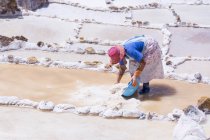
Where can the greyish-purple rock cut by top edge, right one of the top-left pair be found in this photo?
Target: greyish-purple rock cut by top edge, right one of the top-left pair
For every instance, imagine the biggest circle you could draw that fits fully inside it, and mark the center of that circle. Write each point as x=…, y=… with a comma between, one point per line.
x=31, y=4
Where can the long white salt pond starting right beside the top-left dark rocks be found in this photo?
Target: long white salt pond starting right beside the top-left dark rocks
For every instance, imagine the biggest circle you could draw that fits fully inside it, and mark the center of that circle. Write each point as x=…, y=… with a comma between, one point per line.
x=65, y=11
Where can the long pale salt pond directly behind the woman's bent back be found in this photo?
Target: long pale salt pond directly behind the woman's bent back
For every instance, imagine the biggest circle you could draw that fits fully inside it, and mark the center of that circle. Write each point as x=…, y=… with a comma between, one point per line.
x=113, y=33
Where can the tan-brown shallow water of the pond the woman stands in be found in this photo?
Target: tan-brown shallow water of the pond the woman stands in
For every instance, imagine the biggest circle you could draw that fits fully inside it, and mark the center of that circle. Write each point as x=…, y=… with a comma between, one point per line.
x=60, y=86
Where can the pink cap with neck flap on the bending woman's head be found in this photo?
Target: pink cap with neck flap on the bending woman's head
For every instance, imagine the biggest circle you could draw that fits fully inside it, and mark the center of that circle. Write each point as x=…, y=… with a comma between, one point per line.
x=116, y=53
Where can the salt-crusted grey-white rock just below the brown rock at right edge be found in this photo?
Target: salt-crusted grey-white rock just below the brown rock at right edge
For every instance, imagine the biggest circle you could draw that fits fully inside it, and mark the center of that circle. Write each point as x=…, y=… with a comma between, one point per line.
x=195, y=114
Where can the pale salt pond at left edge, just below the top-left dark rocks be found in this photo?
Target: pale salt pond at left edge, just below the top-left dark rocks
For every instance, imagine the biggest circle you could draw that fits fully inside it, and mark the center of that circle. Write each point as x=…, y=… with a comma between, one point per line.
x=38, y=29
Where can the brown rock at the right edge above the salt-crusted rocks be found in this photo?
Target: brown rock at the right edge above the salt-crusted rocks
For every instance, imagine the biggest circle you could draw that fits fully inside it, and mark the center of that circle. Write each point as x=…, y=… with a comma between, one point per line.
x=204, y=104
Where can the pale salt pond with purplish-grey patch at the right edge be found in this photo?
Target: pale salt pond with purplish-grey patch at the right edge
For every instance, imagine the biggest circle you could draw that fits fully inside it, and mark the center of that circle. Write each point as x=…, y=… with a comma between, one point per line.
x=193, y=42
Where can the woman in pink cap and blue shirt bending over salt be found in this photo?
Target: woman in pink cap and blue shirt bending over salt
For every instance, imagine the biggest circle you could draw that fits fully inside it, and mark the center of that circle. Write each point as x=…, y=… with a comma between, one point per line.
x=144, y=55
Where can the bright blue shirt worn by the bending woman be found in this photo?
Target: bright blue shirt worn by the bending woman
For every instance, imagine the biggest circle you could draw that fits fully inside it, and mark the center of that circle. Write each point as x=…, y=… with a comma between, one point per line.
x=133, y=48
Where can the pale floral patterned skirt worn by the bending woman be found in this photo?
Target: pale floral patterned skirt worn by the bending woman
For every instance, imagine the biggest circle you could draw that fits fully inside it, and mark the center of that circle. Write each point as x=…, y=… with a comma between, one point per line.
x=152, y=56
